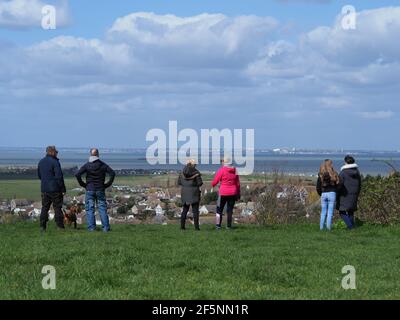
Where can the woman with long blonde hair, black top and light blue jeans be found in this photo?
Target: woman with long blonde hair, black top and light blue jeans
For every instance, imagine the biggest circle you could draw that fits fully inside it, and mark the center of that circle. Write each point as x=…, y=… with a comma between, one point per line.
x=327, y=187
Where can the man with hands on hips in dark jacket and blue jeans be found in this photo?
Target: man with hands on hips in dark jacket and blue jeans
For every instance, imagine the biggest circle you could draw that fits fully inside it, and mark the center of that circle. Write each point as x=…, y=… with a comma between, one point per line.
x=95, y=185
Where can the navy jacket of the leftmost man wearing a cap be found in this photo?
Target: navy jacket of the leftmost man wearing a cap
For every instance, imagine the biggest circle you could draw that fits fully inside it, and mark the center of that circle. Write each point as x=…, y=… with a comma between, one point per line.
x=51, y=176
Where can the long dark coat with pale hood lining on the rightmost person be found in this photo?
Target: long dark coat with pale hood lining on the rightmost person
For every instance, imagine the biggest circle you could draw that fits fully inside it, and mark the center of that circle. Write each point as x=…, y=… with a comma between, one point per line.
x=350, y=188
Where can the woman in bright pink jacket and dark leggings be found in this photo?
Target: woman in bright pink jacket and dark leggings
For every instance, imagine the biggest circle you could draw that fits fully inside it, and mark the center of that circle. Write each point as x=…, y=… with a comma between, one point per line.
x=229, y=191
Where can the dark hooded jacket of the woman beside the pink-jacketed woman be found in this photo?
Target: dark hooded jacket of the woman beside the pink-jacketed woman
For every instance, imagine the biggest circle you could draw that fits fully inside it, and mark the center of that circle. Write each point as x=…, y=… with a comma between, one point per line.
x=190, y=180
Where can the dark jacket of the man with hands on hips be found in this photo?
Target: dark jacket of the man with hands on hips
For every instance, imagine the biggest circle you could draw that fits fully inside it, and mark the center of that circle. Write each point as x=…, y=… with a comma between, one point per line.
x=96, y=176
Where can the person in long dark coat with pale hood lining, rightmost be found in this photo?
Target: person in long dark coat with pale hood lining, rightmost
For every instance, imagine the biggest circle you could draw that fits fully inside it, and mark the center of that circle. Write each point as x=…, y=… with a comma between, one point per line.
x=349, y=191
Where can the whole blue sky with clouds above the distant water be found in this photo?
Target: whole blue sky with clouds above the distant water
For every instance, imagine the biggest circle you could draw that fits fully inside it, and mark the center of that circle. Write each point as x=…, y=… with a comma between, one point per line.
x=112, y=70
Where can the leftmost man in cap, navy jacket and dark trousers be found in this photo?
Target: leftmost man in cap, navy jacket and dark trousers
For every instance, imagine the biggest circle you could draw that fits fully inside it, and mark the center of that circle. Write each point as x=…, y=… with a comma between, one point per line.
x=52, y=188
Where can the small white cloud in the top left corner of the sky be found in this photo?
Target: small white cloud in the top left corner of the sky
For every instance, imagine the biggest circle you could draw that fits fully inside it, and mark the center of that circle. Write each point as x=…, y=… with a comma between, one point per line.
x=28, y=13
